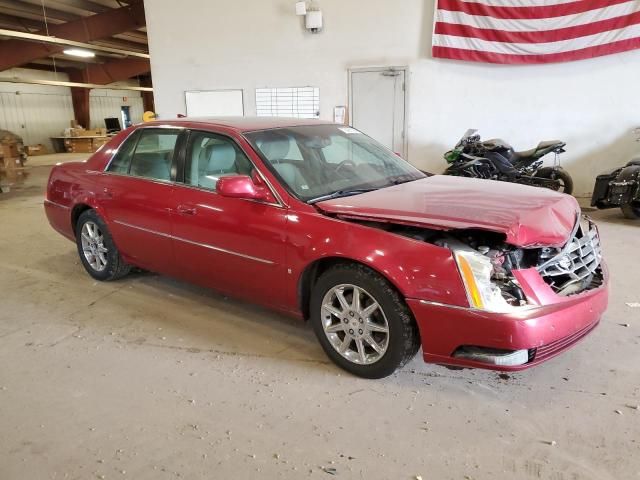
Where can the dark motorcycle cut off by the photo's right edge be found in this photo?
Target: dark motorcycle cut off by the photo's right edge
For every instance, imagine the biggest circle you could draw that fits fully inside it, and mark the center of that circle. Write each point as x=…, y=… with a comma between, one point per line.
x=620, y=187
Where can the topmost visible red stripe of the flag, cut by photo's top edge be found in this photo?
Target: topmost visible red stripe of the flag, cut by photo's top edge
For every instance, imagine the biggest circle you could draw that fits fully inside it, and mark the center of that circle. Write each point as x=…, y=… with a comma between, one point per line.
x=526, y=13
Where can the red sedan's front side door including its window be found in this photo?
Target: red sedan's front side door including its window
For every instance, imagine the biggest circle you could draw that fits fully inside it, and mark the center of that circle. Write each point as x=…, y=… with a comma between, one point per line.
x=229, y=244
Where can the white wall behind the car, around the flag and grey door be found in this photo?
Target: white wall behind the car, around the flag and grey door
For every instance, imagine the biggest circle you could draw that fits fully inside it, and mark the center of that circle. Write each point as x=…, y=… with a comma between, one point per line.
x=592, y=104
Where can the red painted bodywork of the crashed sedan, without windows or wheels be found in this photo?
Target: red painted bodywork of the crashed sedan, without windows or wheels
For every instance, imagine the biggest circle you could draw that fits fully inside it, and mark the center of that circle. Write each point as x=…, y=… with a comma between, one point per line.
x=262, y=250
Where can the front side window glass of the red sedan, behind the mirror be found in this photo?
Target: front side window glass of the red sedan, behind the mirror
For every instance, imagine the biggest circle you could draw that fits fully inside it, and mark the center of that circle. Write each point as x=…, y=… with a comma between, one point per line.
x=212, y=156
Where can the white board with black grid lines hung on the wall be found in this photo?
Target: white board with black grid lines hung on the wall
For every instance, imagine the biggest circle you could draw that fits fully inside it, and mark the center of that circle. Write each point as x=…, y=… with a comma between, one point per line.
x=275, y=102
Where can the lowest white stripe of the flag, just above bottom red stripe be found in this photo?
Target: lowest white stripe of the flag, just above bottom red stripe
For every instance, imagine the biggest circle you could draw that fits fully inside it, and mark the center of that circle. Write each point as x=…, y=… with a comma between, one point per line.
x=538, y=48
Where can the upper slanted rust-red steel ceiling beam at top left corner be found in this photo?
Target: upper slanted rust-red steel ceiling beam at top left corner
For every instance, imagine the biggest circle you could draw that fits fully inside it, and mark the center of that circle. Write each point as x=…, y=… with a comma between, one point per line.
x=14, y=53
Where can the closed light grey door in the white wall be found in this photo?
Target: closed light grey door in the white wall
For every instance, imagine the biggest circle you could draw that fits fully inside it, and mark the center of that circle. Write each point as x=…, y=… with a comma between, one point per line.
x=378, y=106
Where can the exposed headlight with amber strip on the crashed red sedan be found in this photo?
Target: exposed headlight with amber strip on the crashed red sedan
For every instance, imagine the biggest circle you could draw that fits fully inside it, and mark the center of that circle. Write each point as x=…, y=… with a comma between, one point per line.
x=483, y=294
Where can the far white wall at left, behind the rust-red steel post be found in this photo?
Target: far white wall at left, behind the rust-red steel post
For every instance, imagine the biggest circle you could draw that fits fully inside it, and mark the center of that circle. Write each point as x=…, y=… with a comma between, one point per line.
x=38, y=112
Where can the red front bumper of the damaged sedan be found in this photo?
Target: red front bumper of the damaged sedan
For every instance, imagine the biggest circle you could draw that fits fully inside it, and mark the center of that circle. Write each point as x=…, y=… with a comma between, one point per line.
x=511, y=341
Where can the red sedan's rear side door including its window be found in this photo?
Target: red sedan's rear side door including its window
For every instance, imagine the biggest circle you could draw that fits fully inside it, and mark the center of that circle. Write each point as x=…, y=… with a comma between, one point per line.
x=138, y=196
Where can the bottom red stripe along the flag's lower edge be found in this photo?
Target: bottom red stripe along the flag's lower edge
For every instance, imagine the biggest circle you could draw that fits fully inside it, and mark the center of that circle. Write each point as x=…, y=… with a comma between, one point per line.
x=492, y=57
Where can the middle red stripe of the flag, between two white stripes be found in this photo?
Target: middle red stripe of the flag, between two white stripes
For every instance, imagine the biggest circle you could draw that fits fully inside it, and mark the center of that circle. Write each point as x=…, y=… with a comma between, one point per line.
x=560, y=34
